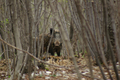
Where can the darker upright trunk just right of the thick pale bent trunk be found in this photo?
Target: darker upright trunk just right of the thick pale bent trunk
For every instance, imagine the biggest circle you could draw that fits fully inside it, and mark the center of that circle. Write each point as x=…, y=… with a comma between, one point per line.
x=31, y=24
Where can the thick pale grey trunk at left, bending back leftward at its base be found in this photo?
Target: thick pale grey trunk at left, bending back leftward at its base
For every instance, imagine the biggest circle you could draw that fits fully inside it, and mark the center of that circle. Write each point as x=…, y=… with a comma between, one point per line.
x=16, y=32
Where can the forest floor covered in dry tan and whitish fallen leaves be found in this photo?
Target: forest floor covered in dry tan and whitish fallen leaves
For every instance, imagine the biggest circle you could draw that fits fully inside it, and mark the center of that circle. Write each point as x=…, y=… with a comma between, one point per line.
x=66, y=73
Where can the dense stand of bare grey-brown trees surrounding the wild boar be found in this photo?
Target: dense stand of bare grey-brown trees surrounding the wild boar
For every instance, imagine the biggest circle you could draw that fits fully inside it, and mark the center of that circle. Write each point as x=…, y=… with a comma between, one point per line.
x=89, y=29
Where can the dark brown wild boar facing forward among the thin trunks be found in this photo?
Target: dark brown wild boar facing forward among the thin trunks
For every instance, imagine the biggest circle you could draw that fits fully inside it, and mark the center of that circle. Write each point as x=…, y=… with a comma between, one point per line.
x=56, y=43
